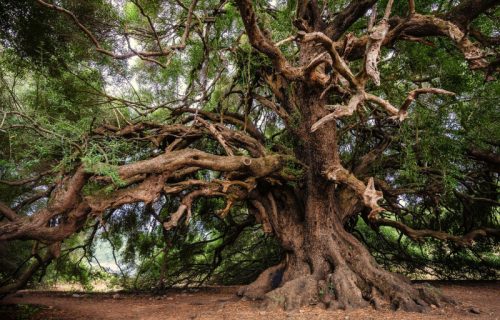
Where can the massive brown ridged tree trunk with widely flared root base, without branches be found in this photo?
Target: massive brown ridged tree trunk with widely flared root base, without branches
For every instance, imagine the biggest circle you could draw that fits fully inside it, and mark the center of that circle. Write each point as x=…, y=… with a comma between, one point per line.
x=324, y=263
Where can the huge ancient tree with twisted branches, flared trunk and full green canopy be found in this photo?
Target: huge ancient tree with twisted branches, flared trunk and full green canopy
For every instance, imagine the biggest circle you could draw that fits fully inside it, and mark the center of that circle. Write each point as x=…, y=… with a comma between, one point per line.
x=284, y=112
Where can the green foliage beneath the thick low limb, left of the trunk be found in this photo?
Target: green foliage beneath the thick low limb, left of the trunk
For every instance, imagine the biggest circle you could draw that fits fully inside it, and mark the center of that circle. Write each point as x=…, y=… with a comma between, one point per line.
x=208, y=250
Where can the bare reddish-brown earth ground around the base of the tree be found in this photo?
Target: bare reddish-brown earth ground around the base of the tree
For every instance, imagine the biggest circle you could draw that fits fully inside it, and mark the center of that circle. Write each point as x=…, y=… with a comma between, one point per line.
x=477, y=300
